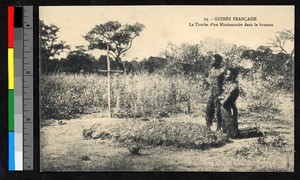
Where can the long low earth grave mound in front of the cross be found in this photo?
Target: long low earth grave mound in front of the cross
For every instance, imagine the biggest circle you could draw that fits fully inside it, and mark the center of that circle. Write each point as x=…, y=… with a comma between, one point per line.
x=158, y=133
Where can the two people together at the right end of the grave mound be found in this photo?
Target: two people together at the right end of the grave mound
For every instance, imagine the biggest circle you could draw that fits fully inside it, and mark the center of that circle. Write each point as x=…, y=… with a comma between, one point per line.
x=224, y=91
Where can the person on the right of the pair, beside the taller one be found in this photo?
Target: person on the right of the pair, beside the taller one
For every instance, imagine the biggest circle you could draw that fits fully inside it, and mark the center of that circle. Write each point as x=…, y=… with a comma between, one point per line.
x=228, y=99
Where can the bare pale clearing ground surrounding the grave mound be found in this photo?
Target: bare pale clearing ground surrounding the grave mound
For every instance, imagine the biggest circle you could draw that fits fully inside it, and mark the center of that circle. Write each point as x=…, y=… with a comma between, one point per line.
x=63, y=147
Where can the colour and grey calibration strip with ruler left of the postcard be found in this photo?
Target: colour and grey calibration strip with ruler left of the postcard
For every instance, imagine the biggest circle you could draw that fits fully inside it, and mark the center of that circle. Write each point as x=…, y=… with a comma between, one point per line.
x=20, y=87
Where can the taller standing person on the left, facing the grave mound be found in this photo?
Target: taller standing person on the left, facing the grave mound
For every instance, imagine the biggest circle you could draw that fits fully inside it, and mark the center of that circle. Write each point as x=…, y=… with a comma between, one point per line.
x=216, y=79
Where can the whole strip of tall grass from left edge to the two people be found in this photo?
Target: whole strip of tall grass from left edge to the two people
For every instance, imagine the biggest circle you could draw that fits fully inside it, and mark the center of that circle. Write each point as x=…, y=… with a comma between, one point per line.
x=69, y=96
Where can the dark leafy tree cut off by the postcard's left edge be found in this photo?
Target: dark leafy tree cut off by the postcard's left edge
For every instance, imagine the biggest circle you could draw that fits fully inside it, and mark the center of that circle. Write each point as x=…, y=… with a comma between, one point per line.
x=49, y=47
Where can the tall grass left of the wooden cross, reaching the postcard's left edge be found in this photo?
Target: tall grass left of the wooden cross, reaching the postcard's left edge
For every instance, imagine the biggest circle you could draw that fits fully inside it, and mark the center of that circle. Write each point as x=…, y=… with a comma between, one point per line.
x=70, y=96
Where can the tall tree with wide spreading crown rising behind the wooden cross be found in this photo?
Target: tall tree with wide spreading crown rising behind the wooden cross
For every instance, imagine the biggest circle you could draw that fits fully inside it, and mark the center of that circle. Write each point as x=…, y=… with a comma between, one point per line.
x=116, y=36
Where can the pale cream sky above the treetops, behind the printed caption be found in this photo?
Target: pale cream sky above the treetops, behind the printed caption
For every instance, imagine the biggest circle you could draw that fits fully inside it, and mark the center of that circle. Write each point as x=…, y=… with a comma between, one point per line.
x=170, y=24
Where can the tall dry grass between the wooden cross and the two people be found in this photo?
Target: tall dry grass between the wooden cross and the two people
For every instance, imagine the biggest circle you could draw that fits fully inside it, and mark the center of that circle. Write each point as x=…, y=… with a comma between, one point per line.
x=150, y=94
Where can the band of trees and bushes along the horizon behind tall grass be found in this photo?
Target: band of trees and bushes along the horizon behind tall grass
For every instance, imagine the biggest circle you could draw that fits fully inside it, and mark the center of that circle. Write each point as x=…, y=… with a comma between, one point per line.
x=273, y=64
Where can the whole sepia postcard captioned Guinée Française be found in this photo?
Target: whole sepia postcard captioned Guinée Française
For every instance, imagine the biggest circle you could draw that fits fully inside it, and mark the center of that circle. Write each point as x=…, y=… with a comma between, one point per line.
x=166, y=88
